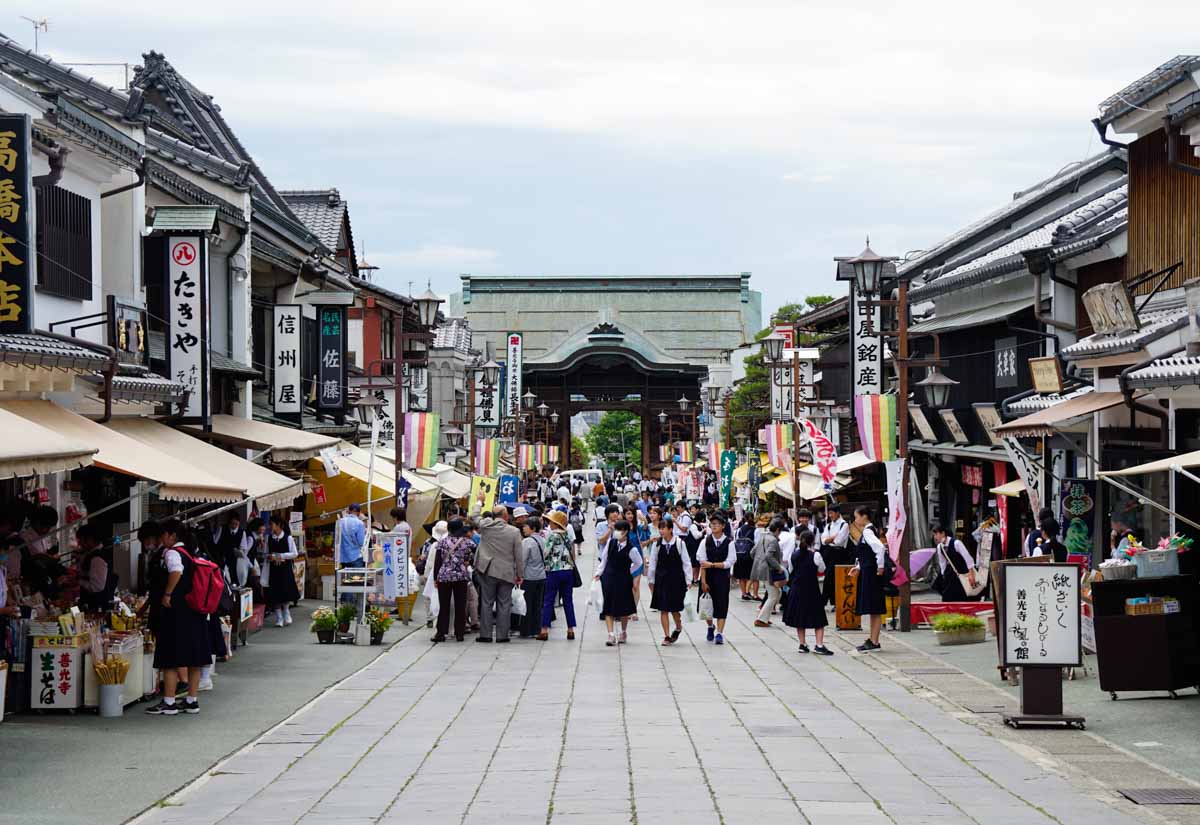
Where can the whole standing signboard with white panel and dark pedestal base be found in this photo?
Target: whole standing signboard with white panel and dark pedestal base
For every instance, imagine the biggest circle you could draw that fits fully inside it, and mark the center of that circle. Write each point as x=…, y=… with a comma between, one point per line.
x=1042, y=635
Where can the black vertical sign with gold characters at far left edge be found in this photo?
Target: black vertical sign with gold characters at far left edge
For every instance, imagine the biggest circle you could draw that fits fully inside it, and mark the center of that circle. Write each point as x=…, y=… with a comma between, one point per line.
x=16, y=231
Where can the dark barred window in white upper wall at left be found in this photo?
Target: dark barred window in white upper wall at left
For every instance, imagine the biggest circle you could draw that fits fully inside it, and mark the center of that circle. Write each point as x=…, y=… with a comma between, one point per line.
x=64, y=243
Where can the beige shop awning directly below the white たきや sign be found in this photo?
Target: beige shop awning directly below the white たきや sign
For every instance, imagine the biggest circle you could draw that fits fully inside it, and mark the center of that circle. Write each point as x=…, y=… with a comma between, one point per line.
x=269, y=490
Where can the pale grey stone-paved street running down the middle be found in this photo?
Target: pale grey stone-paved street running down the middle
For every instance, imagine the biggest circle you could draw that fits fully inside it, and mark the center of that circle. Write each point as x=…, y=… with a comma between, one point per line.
x=578, y=733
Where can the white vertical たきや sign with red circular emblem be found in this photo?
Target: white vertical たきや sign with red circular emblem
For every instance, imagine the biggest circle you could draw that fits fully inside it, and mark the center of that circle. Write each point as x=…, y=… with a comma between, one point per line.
x=188, y=290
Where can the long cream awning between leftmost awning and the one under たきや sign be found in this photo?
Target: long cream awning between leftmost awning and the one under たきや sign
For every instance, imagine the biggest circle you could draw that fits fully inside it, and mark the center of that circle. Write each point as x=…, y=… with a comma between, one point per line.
x=179, y=480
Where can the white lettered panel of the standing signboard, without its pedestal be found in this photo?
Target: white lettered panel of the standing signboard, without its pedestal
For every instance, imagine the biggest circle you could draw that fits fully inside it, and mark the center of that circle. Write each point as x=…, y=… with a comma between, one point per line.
x=1042, y=625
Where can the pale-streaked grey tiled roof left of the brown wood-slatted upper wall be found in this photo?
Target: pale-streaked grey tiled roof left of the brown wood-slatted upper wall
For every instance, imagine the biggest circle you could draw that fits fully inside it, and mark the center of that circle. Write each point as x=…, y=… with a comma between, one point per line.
x=1004, y=255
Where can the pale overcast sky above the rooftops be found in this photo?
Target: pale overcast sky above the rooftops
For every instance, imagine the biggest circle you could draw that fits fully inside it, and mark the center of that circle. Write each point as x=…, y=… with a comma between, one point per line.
x=652, y=137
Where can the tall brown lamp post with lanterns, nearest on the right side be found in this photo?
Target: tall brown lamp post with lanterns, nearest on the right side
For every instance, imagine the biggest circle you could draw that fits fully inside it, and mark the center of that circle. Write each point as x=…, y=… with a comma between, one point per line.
x=869, y=270
